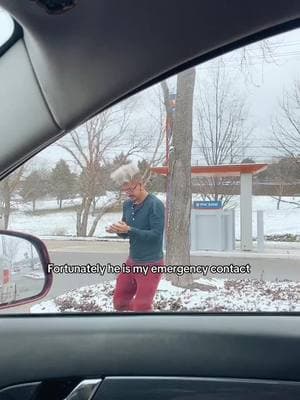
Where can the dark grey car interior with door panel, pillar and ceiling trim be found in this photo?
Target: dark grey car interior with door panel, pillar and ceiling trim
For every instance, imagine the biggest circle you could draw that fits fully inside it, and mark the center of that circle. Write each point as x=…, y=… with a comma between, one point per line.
x=66, y=61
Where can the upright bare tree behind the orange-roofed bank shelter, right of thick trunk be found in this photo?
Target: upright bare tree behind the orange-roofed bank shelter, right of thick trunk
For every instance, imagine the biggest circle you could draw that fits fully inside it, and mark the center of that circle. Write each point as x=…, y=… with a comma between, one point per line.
x=221, y=135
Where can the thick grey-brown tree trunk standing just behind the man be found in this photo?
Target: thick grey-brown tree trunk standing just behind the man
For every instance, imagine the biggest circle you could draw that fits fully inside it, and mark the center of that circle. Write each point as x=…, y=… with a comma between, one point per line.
x=180, y=194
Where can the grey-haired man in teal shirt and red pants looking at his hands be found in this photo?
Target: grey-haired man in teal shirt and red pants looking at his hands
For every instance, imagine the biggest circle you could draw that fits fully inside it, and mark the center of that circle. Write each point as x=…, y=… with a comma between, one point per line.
x=143, y=223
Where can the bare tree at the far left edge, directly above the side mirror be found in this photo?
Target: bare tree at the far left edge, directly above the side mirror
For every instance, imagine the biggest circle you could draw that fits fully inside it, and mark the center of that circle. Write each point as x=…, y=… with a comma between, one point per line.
x=8, y=188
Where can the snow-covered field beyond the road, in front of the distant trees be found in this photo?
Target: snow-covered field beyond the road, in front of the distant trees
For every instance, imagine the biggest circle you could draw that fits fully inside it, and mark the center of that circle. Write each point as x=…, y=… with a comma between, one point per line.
x=63, y=223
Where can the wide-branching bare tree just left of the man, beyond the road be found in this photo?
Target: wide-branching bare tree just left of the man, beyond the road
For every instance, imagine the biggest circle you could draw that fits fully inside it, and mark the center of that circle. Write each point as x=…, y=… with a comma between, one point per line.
x=88, y=146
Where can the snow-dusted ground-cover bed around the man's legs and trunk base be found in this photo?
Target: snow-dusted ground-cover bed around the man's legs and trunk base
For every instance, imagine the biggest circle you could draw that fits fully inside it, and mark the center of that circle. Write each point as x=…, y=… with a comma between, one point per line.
x=208, y=295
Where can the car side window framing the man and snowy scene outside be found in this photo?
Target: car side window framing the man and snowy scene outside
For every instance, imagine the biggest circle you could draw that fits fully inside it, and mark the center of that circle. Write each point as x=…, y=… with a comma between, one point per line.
x=183, y=198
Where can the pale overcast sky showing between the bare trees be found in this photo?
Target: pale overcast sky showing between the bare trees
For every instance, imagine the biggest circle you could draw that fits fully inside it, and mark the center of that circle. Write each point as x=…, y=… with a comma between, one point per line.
x=262, y=92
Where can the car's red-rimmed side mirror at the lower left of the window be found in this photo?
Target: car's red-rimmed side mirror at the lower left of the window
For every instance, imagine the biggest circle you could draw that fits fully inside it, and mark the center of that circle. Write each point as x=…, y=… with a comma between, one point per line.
x=24, y=275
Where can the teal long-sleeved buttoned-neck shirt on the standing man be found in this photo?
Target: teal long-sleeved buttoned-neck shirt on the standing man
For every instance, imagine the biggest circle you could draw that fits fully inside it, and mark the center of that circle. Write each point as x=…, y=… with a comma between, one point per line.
x=147, y=228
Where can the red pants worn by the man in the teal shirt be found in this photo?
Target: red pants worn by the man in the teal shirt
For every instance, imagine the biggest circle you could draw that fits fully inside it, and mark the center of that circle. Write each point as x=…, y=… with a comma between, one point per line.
x=135, y=291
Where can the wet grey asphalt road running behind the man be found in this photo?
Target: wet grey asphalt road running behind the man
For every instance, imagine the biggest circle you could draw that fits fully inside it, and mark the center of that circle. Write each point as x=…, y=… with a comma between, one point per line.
x=267, y=266
